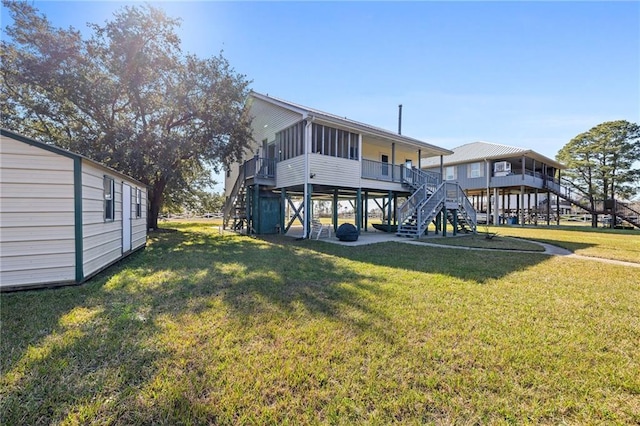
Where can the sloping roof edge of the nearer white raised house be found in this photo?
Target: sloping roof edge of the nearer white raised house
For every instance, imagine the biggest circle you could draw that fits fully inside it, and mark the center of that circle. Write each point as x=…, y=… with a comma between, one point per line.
x=311, y=113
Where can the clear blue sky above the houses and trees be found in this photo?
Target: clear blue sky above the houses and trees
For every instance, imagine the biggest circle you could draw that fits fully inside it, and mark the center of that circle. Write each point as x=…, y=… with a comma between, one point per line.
x=528, y=74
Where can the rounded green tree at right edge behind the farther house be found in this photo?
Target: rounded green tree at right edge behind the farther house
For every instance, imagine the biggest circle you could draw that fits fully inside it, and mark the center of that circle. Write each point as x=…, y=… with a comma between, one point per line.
x=601, y=161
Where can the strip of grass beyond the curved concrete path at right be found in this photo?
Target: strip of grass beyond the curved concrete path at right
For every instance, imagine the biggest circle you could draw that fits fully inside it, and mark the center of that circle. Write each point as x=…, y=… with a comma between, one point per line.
x=616, y=244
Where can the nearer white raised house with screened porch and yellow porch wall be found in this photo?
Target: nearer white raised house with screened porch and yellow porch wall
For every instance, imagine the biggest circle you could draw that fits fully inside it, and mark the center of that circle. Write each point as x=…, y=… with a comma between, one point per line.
x=301, y=155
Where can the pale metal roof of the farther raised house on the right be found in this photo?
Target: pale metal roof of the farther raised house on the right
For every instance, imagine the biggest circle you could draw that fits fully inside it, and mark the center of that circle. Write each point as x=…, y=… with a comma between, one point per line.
x=480, y=151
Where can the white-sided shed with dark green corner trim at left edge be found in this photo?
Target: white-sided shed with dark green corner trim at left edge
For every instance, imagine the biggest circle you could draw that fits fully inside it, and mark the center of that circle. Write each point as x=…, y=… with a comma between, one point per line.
x=63, y=217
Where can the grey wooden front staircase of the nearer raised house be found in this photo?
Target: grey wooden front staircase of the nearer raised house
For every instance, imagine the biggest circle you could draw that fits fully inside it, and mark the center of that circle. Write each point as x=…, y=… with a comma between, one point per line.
x=430, y=196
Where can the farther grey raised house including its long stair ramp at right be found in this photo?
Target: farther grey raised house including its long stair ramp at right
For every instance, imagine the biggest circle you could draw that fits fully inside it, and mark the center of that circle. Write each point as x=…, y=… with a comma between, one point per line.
x=513, y=185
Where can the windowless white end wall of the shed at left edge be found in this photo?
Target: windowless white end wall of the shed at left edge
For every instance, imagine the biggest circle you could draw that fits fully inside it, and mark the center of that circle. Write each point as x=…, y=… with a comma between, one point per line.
x=37, y=215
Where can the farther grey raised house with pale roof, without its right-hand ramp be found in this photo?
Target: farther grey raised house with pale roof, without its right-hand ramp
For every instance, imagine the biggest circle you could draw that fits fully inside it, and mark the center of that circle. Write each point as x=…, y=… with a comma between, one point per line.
x=501, y=180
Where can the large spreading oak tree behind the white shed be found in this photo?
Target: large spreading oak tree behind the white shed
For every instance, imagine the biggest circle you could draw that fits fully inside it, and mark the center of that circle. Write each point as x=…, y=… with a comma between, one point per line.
x=126, y=96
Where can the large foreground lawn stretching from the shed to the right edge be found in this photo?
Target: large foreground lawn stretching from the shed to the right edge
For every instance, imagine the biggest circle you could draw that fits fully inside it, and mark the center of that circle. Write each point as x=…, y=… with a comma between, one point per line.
x=206, y=329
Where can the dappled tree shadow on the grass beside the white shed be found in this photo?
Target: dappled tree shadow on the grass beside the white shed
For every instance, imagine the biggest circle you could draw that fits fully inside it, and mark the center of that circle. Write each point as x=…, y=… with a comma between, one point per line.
x=81, y=350
